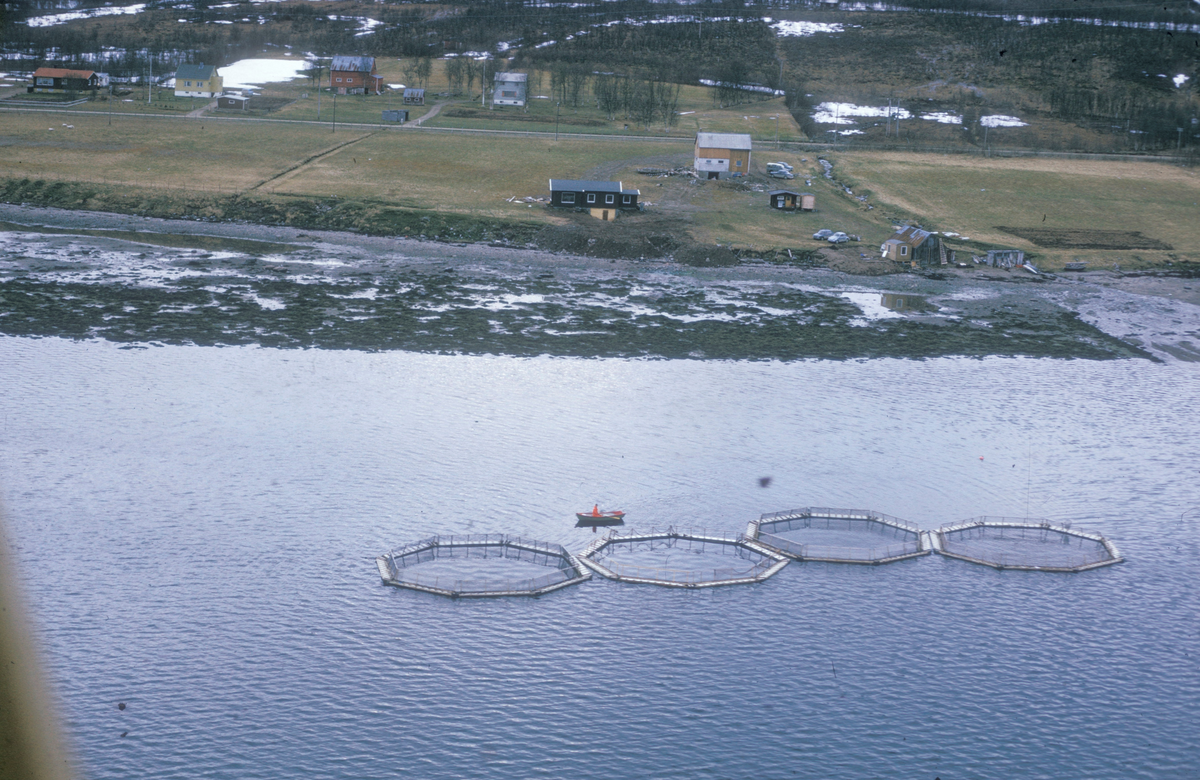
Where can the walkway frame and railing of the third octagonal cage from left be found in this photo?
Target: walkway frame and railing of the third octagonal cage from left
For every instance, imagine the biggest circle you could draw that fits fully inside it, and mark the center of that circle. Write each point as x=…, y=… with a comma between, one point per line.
x=914, y=543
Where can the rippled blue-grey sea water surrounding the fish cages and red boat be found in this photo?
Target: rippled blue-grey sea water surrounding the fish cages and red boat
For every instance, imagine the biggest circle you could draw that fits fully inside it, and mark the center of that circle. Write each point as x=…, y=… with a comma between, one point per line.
x=197, y=527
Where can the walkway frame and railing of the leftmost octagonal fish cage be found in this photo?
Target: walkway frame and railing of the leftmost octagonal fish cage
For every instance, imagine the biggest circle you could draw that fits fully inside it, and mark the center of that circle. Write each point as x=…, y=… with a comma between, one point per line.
x=403, y=567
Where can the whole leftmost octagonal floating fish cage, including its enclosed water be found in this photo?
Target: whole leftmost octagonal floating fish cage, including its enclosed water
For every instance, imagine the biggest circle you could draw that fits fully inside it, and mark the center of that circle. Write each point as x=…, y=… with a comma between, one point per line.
x=479, y=565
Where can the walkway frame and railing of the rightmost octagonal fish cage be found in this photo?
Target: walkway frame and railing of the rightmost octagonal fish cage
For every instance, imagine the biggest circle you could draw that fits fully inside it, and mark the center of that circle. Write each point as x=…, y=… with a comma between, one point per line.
x=1105, y=553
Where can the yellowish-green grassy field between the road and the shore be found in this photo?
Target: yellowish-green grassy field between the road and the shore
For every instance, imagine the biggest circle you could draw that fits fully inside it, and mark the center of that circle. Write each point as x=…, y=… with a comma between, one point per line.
x=488, y=177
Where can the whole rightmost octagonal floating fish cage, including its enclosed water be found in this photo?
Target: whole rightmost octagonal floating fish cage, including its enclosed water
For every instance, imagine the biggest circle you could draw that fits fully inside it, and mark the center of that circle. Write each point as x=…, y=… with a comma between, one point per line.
x=1039, y=545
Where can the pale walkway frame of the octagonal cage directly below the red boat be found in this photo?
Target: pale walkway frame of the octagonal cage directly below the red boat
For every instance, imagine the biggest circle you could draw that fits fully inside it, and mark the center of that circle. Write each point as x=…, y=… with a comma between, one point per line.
x=766, y=562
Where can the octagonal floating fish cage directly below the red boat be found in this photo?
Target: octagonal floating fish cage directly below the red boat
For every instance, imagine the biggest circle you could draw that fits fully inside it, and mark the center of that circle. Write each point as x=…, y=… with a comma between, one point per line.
x=748, y=562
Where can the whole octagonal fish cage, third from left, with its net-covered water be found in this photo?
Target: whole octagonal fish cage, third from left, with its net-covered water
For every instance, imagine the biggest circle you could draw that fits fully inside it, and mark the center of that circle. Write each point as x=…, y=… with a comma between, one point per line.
x=839, y=536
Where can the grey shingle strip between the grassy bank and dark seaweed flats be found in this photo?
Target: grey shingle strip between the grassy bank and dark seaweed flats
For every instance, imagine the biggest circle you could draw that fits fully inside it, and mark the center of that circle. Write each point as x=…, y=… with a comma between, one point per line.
x=1143, y=310
